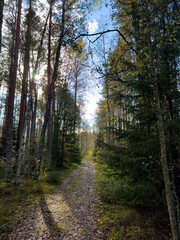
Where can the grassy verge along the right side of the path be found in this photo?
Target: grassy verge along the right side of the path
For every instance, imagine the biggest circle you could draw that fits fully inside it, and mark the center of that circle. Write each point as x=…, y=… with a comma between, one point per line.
x=118, y=221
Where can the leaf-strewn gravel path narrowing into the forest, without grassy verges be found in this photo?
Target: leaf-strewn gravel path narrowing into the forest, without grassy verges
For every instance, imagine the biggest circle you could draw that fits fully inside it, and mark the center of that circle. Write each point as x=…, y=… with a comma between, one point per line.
x=69, y=213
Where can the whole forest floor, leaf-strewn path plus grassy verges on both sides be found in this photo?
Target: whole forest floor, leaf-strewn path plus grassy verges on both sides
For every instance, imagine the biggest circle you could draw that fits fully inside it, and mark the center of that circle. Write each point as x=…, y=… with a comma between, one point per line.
x=84, y=206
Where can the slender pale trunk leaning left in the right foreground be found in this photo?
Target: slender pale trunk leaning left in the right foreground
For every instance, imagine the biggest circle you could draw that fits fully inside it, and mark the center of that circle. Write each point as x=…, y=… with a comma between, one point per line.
x=168, y=190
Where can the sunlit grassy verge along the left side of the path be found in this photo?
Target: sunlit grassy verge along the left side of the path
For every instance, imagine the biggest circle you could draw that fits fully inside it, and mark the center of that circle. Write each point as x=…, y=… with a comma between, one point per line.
x=16, y=202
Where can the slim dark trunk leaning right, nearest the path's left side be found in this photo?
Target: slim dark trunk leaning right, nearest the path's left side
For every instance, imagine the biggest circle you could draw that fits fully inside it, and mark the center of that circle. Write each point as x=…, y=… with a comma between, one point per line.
x=51, y=93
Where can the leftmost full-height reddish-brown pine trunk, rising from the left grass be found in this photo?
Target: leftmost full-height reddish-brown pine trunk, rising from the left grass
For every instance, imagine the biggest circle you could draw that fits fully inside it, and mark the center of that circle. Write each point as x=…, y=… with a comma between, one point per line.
x=13, y=74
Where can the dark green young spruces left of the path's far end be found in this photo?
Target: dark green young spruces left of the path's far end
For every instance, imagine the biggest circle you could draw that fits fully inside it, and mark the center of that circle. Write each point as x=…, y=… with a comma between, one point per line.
x=65, y=141
